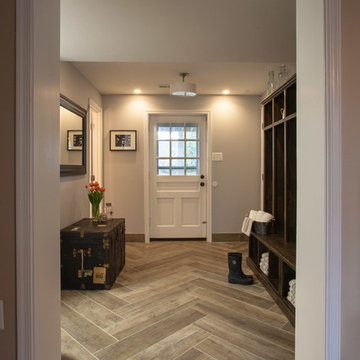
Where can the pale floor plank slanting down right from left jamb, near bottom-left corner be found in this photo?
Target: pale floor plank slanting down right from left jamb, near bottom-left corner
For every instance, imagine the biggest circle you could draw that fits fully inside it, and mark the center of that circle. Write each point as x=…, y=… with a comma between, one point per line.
x=83, y=331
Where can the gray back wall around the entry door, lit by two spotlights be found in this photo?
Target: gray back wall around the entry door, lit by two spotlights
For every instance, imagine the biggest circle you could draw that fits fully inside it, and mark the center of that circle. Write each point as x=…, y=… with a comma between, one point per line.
x=235, y=132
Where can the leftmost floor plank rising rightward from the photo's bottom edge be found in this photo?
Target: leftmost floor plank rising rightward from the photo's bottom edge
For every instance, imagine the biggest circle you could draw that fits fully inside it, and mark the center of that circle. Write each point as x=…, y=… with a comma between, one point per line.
x=140, y=341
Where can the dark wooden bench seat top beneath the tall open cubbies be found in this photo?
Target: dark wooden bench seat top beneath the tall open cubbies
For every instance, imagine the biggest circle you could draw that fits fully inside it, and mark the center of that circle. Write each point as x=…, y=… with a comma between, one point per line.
x=275, y=243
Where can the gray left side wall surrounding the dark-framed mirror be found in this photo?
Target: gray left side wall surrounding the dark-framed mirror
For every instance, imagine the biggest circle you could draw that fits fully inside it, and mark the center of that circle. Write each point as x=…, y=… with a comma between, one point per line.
x=74, y=203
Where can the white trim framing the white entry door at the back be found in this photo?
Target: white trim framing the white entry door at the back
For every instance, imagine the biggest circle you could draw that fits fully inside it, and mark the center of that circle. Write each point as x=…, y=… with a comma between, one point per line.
x=207, y=114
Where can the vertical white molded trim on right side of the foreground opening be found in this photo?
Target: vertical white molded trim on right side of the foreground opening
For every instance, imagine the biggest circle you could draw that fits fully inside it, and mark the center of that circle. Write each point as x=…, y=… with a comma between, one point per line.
x=333, y=179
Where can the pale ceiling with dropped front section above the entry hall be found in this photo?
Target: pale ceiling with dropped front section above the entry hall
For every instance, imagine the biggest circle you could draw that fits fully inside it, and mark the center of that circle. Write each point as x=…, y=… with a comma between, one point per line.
x=122, y=44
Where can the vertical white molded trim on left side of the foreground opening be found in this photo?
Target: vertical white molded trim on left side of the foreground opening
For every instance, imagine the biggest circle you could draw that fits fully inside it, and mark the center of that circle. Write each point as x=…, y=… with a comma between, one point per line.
x=24, y=179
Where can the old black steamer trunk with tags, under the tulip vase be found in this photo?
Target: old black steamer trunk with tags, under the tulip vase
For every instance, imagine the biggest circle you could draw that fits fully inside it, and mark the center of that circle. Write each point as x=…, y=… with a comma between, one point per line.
x=92, y=256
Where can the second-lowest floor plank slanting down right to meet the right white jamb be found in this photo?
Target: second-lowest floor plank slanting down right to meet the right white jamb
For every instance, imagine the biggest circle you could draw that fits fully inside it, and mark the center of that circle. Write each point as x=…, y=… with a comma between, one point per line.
x=256, y=327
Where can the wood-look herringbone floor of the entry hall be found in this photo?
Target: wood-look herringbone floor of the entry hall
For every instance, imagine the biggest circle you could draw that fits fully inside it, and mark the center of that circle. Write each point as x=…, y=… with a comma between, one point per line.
x=173, y=301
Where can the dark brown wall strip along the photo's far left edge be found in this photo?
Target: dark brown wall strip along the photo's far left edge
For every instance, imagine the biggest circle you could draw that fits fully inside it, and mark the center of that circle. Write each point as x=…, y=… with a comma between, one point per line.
x=7, y=161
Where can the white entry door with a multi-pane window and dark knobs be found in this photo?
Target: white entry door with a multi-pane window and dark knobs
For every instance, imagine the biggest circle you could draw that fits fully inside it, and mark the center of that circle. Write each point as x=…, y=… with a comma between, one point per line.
x=178, y=176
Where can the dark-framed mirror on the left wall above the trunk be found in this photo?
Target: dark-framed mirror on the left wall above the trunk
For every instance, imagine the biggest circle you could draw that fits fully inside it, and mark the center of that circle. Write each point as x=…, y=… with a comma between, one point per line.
x=72, y=138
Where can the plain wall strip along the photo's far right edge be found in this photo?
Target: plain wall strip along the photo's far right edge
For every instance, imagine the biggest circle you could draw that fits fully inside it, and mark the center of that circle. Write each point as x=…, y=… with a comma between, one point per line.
x=350, y=180
